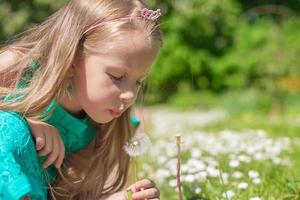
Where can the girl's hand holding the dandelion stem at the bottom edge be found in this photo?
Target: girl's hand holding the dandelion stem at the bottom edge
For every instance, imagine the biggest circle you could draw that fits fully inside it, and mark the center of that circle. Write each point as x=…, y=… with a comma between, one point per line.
x=144, y=189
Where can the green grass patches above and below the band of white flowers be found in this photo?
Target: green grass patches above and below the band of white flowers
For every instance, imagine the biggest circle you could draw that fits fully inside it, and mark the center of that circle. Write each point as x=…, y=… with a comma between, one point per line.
x=250, y=110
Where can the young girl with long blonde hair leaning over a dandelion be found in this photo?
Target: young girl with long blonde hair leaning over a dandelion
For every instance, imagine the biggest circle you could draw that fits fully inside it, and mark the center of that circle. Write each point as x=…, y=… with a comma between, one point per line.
x=79, y=72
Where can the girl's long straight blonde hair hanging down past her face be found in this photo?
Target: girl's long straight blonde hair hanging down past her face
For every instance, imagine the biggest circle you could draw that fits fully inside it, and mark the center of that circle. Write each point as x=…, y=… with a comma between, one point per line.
x=54, y=44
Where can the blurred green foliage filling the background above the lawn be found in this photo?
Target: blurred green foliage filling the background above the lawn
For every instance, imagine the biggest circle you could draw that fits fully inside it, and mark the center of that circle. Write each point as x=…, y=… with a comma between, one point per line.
x=208, y=45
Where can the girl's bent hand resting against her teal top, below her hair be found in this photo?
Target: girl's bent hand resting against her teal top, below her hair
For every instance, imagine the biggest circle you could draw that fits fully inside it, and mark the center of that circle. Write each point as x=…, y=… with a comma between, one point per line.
x=48, y=142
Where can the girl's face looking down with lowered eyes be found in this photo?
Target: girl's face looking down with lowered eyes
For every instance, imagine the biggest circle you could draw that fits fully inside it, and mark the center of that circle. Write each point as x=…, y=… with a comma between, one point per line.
x=104, y=82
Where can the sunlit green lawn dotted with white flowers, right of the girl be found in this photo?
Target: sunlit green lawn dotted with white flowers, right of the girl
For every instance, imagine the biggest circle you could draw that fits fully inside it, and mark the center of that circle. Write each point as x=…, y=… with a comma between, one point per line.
x=259, y=145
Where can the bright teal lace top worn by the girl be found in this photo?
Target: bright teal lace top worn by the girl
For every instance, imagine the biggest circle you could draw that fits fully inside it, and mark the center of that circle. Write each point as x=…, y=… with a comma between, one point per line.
x=21, y=172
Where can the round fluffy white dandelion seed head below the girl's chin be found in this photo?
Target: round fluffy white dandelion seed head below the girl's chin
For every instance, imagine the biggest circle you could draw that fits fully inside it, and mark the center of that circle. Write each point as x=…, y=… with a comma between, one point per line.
x=138, y=145
